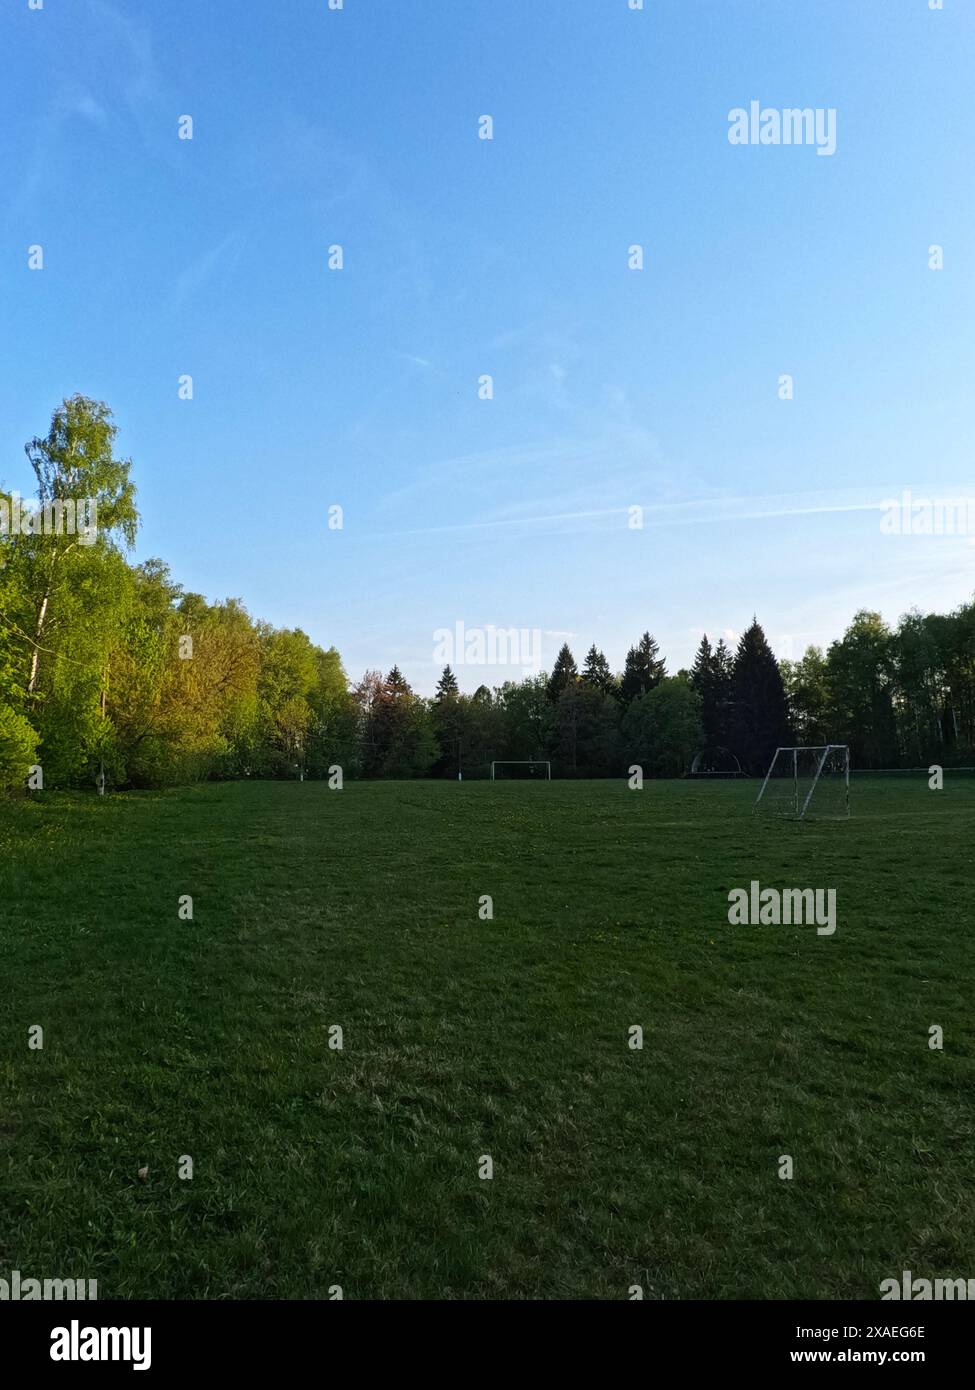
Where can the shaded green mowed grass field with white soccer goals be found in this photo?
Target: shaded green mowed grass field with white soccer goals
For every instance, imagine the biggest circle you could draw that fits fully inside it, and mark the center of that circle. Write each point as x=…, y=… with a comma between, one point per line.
x=467, y=1038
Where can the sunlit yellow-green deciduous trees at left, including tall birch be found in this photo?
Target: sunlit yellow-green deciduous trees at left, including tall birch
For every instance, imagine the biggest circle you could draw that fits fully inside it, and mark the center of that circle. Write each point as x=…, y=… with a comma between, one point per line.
x=122, y=672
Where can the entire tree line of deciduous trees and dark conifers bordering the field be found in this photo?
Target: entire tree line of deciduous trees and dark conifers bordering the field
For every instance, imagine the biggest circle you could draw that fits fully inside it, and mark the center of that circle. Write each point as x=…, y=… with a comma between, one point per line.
x=111, y=669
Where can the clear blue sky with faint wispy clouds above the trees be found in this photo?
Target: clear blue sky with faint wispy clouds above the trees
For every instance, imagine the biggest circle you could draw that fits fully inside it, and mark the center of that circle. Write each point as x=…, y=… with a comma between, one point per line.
x=613, y=389
